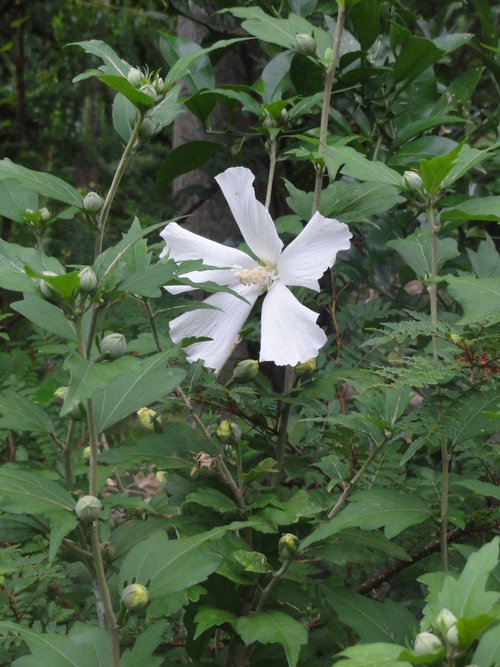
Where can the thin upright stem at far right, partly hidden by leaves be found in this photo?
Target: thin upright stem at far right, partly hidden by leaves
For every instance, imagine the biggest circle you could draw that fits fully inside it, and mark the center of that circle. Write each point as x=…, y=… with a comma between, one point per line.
x=444, y=443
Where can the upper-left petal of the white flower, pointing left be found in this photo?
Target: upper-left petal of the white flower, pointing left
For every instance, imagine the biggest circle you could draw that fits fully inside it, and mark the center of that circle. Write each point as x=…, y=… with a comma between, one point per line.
x=184, y=245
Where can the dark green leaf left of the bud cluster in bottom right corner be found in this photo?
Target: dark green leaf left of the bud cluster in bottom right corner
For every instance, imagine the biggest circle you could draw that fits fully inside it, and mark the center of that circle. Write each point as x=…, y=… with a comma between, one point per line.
x=373, y=621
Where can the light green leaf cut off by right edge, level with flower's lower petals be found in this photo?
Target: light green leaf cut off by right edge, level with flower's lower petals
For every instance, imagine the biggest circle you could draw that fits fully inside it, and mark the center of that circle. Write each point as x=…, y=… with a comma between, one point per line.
x=478, y=297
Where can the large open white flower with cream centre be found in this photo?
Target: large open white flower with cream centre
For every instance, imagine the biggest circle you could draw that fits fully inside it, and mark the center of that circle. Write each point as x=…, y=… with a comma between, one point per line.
x=290, y=334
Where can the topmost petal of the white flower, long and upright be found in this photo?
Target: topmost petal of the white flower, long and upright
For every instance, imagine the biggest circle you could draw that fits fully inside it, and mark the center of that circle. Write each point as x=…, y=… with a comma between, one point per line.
x=252, y=217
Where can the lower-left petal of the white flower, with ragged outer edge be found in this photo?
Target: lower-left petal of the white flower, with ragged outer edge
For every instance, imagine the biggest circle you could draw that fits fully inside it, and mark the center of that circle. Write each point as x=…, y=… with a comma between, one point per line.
x=222, y=326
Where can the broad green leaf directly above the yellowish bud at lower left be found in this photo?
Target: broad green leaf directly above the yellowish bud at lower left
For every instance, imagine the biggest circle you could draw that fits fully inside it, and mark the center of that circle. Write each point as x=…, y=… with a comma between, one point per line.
x=171, y=565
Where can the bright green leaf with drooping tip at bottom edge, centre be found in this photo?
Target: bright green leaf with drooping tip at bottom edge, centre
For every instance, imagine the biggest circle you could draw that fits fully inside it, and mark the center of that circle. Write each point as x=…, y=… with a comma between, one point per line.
x=274, y=627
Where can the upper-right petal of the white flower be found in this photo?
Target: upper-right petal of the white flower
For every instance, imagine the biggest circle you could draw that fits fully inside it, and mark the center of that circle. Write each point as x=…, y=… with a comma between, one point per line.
x=313, y=251
